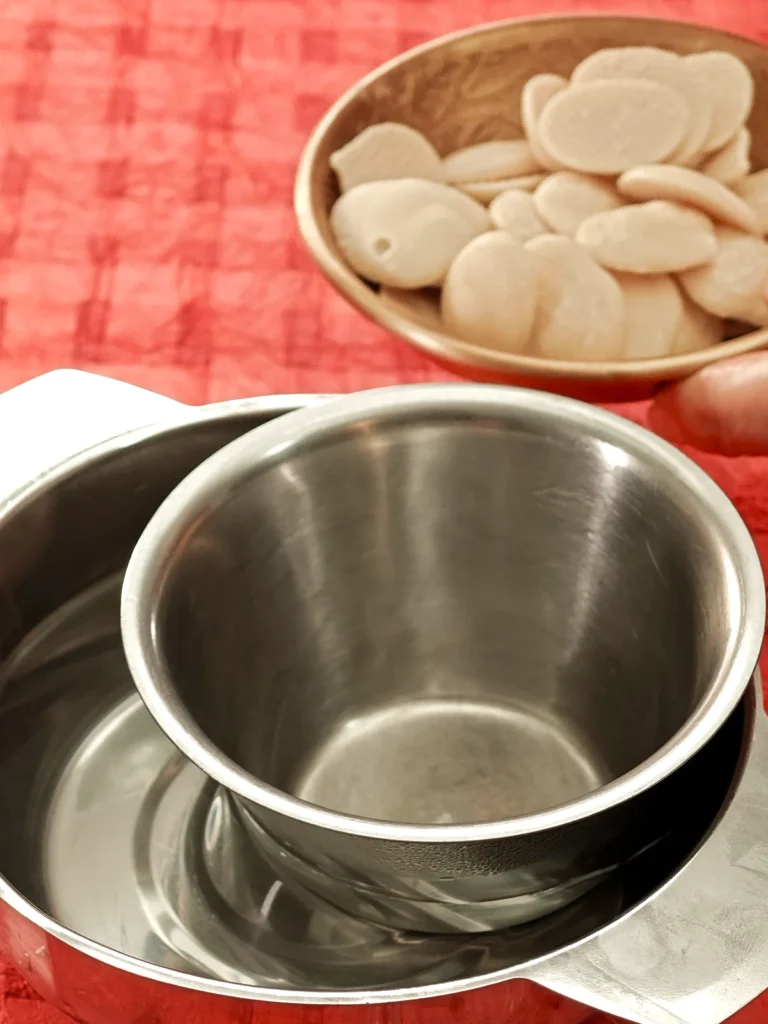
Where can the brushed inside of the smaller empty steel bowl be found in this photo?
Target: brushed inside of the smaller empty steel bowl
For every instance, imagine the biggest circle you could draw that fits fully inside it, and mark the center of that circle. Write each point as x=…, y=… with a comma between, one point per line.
x=444, y=618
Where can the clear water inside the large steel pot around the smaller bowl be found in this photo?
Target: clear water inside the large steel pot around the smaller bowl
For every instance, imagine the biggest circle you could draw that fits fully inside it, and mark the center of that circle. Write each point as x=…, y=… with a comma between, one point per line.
x=131, y=845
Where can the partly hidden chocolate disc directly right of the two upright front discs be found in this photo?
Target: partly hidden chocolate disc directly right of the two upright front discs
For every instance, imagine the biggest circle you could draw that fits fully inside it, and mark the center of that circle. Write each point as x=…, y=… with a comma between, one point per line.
x=654, y=310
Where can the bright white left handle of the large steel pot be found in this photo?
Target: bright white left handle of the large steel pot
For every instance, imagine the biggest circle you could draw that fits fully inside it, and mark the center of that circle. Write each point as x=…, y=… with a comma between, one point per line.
x=58, y=415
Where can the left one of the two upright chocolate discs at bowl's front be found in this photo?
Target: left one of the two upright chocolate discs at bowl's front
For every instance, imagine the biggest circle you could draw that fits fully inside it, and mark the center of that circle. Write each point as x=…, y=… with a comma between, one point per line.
x=490, y=294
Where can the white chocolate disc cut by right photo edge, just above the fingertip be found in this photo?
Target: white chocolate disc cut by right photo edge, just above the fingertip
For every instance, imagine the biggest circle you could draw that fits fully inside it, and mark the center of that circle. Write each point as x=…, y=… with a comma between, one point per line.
x=735, y=285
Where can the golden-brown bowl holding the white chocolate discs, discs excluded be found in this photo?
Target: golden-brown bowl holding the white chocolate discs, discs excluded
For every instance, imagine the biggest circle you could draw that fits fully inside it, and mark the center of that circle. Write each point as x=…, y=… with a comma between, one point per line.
x=465, y=89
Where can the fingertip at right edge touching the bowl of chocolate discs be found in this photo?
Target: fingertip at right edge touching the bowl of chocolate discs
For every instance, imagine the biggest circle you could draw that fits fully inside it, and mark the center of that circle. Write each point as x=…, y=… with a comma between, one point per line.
x=722, y=409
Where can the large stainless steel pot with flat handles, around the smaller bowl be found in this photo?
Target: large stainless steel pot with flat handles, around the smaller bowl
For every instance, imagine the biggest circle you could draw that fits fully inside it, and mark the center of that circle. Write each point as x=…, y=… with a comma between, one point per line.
x=103, y=908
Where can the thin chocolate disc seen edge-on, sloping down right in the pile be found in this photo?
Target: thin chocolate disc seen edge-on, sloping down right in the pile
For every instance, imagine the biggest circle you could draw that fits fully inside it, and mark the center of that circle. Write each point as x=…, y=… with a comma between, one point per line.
x=680, y=185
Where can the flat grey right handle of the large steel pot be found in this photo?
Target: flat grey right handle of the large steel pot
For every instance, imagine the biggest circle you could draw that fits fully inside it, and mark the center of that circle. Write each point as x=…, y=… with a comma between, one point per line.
x=697, y=953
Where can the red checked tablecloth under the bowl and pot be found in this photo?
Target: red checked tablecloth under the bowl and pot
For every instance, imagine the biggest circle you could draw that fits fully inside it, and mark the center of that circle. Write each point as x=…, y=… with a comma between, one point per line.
x=147, y=159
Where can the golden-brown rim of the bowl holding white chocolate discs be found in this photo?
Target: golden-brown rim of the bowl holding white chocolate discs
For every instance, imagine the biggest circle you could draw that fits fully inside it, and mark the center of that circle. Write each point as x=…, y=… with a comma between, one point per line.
x=446, y=348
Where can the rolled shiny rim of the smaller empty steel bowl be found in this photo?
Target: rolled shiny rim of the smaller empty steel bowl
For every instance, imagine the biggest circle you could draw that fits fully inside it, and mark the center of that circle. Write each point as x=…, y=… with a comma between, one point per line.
x=209, y=485
